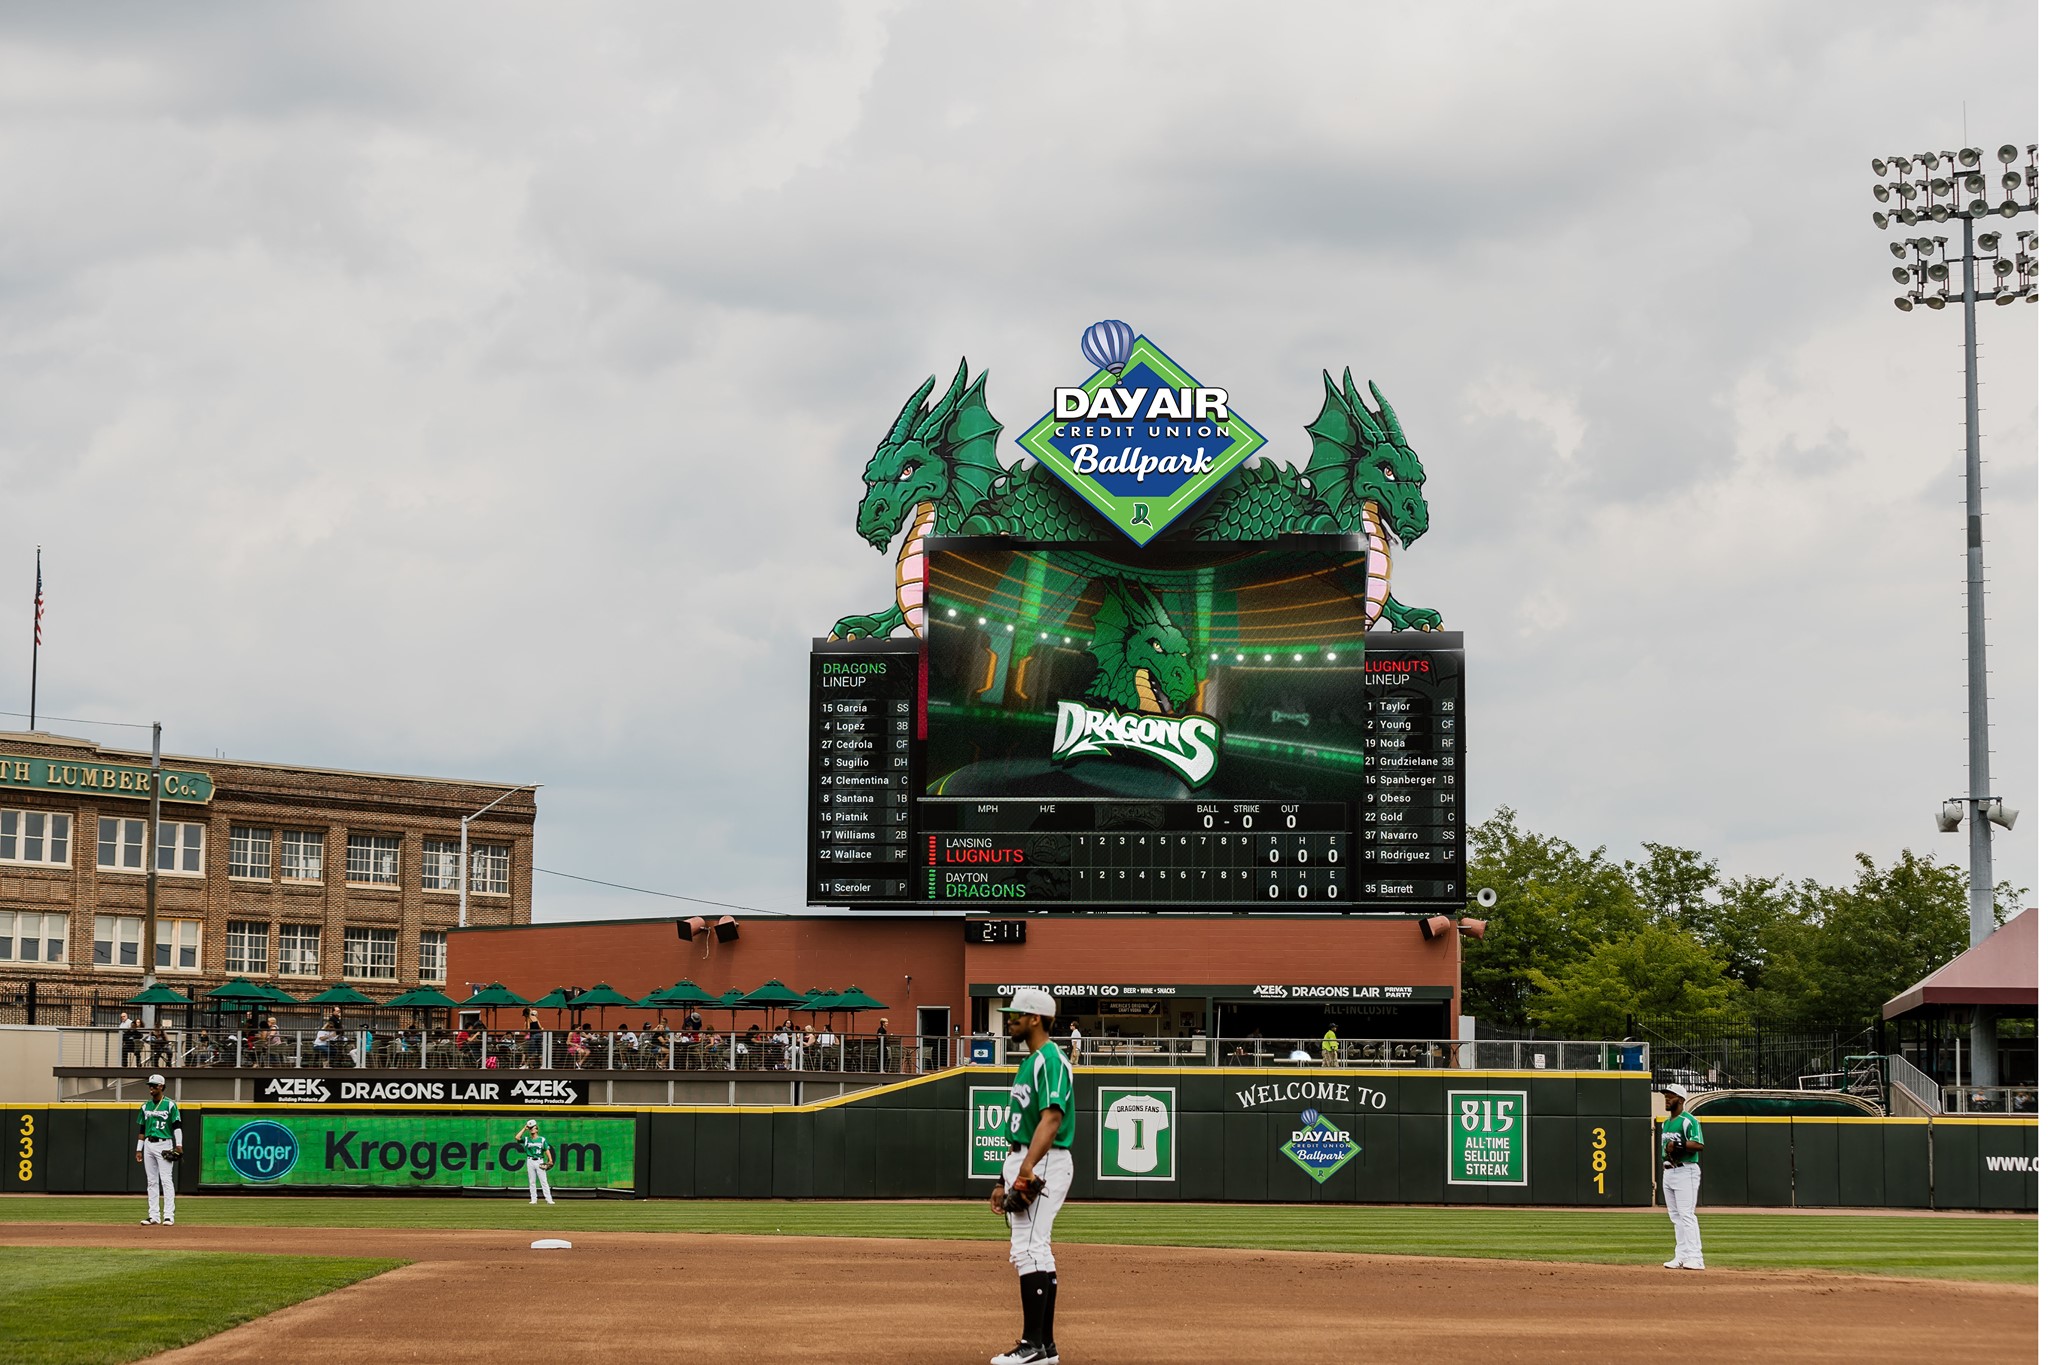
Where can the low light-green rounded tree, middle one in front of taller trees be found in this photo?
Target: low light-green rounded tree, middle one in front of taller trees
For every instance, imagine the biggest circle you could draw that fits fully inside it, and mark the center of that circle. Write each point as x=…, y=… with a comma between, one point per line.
x=1658, y=971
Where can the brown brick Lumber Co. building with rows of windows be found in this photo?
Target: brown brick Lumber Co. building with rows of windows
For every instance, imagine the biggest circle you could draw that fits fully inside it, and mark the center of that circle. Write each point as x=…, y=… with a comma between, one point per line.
x=298, y=877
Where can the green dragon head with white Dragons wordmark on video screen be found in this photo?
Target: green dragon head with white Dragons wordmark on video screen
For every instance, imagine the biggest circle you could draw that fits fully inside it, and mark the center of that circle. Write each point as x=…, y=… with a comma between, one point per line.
x=1144, y=678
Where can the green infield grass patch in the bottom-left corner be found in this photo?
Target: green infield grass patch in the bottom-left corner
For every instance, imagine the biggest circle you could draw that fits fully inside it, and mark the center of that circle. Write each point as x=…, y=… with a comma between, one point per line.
x=89, y=1305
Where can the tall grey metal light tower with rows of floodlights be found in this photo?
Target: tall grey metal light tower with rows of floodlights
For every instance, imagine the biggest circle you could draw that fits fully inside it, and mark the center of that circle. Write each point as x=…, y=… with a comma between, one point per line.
x=1955, y=187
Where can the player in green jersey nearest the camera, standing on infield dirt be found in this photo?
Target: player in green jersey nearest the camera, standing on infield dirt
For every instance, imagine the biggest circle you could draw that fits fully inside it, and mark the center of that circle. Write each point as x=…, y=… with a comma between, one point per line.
x=1037, y=1174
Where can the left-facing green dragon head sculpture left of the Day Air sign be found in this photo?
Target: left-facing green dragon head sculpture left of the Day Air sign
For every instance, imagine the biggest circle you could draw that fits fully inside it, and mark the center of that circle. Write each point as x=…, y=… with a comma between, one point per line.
x=933, y=455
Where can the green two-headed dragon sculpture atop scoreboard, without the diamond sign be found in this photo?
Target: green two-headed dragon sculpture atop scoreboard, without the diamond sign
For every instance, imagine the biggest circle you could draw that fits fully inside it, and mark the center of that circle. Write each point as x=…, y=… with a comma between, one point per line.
x=937, y=476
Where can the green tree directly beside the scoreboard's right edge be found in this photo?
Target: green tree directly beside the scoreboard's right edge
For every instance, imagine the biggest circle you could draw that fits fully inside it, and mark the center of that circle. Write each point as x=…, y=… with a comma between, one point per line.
x=1555, y=908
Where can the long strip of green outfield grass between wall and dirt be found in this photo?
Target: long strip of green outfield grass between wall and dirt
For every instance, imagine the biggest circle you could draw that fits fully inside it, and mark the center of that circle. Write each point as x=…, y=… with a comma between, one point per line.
x=1945, y=1247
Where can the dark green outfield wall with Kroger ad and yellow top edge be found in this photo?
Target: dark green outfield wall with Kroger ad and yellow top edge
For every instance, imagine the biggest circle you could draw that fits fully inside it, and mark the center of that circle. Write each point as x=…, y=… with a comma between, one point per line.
x=1314, y=1137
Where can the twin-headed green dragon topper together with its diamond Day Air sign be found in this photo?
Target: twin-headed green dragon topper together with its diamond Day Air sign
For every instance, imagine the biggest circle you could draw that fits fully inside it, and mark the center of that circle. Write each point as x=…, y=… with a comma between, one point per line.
x=937, y=474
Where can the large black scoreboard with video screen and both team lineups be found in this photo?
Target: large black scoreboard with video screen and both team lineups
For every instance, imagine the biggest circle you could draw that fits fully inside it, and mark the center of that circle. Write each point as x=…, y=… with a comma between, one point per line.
x=1095, y=728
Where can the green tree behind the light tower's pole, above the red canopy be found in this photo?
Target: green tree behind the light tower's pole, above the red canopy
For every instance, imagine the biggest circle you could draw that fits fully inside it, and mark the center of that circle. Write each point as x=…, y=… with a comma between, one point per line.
x=1844, y=951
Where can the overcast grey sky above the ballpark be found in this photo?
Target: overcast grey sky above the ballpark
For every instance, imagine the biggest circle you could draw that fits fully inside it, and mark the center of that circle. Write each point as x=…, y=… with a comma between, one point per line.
x=484, y=390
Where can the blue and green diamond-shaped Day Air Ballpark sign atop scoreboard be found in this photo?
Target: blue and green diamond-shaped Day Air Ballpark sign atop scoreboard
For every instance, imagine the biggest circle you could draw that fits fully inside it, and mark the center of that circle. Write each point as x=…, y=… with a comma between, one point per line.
x=1146, y=455
